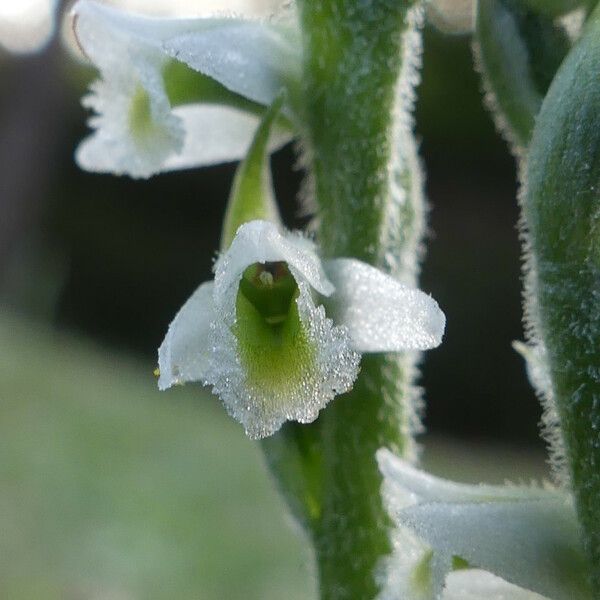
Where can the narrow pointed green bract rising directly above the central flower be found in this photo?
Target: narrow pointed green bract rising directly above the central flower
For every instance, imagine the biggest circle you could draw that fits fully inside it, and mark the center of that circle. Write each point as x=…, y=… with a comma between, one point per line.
x=252, y=195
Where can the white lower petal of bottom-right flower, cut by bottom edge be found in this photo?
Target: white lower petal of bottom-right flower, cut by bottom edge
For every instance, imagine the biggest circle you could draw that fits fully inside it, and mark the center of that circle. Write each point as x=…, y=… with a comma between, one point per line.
x=474, y=584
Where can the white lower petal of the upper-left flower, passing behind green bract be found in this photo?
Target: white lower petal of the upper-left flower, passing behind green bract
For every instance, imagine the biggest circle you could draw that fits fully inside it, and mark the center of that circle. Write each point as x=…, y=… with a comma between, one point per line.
x=217, y=134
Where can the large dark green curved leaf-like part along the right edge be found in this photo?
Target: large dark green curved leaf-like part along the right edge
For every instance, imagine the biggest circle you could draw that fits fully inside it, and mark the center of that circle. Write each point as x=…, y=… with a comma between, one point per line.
x=561, y=209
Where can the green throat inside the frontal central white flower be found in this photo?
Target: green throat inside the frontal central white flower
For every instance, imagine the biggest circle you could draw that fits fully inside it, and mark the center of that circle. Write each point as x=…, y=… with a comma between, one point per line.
x=272, y=341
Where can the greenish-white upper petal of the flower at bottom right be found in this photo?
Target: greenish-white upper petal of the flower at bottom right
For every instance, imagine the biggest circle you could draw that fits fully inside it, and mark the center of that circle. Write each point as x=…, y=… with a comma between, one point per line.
x=527, y=536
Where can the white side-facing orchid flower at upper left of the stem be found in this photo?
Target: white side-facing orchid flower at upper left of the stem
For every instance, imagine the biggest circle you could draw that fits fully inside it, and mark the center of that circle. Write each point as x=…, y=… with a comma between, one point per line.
x=176, y=93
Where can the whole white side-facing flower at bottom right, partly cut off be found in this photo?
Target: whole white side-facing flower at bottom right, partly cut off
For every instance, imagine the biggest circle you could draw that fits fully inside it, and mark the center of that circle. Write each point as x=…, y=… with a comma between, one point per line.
x=527, y=536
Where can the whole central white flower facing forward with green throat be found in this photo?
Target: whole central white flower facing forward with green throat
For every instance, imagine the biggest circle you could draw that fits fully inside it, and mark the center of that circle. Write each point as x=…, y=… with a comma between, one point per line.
x=260, y=335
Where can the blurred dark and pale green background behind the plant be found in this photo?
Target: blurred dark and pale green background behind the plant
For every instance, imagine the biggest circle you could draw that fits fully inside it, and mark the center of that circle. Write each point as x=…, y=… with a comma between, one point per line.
x=110, y=490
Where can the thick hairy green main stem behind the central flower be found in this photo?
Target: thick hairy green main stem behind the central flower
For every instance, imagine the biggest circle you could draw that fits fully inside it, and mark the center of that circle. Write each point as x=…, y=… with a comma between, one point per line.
x=359, y=70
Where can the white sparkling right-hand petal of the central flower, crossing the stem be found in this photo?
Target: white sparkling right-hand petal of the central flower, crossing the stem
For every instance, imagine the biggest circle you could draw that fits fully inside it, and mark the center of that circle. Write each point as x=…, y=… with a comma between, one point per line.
x=381, y=313
